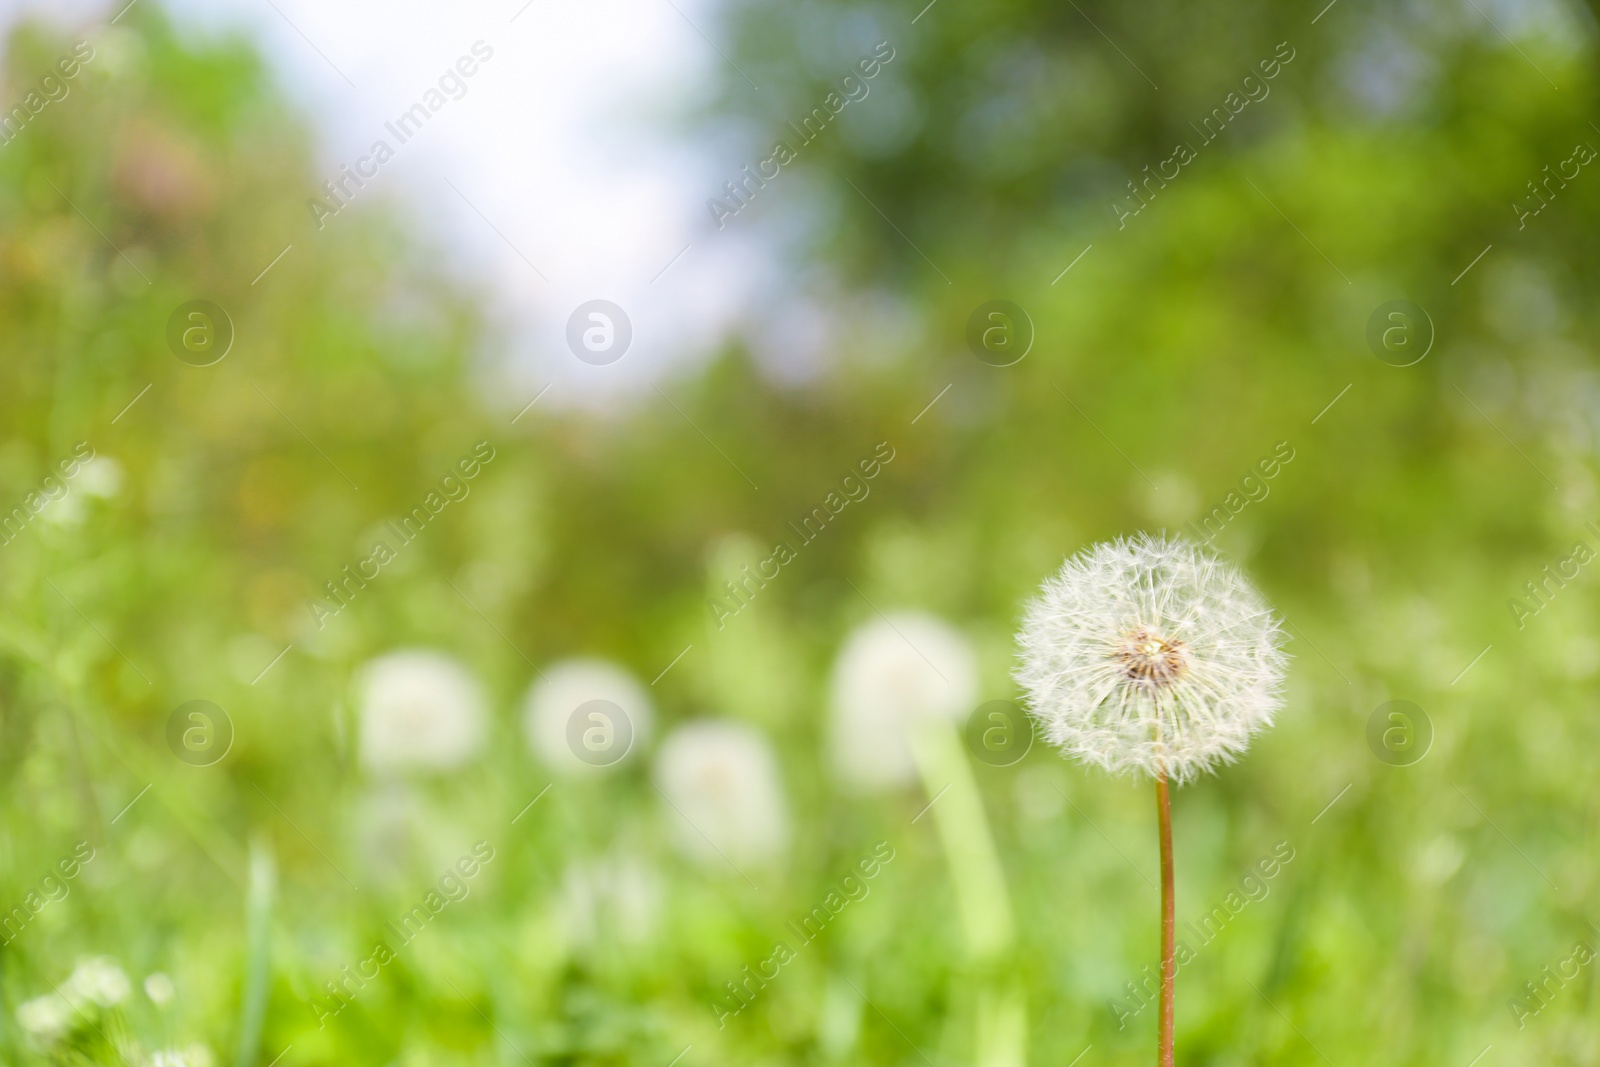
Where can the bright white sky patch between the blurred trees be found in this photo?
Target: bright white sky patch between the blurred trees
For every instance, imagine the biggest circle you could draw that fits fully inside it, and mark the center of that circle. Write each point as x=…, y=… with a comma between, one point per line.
x=566, y=153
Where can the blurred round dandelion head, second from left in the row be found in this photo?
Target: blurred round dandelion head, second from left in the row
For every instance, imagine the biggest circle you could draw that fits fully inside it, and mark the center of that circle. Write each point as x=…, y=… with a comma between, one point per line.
x=574, y=741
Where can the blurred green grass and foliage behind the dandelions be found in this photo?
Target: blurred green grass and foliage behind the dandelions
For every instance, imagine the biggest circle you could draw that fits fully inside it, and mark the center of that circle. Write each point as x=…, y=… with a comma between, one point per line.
x=1167, y=362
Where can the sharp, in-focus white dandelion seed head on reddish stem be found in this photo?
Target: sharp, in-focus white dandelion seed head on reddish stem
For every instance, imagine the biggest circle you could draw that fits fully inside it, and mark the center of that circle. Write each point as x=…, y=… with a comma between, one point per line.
x=1150, y=657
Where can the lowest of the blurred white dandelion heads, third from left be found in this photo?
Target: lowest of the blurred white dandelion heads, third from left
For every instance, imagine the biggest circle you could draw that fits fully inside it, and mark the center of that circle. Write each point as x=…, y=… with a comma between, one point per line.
x=721, y=783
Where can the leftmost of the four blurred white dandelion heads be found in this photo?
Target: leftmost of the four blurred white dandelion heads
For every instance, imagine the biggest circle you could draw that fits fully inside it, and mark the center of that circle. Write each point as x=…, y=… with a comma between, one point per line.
x=420, y=709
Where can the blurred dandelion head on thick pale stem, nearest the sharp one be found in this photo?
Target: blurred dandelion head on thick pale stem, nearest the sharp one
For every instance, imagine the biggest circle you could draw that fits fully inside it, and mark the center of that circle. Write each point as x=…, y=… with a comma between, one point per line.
x=892, y=676
